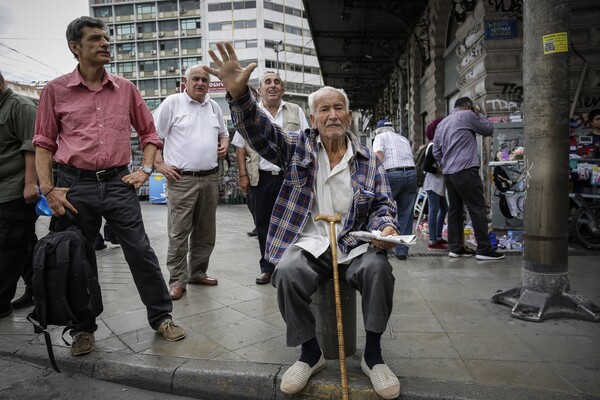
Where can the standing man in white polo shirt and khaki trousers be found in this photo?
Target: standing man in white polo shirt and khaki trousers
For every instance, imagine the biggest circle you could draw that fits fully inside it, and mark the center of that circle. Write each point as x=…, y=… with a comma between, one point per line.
x=195, y=135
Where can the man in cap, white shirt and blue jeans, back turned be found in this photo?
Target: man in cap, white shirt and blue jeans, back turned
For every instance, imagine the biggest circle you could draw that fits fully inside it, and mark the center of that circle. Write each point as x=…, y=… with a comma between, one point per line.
x=395, y=152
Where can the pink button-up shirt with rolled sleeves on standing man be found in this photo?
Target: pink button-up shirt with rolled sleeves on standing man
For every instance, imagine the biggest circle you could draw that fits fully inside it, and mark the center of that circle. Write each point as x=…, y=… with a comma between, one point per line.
x=91, y=129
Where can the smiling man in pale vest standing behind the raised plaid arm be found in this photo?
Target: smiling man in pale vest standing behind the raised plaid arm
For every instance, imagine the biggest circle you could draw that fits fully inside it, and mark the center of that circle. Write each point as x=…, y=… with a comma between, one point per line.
x=258, y=177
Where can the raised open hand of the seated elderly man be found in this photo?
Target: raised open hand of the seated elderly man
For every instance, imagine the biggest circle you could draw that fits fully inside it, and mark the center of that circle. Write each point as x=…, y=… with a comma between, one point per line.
x=230, y=72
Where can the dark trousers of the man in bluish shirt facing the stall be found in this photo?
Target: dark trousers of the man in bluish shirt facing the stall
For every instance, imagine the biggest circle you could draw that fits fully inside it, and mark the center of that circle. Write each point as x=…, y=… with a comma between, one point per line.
x=465, y=188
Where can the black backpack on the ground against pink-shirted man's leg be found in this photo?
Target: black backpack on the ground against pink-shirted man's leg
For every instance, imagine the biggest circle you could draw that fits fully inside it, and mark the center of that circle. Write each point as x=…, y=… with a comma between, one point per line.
x=65, y=287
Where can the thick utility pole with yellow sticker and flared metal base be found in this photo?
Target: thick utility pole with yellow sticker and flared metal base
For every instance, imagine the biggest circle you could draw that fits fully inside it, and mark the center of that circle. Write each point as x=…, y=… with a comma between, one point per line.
x=545, y=290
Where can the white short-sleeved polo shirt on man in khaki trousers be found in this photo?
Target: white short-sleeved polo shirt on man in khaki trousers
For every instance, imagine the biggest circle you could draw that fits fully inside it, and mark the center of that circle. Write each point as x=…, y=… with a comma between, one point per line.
x=191, y=131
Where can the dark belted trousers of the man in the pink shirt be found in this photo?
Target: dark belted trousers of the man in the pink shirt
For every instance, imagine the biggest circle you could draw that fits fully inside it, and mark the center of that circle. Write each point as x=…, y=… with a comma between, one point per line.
x=119, y=205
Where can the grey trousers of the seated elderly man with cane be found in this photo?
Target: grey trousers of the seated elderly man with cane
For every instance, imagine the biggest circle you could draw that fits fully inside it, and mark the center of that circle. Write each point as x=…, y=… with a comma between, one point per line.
x=298, y=274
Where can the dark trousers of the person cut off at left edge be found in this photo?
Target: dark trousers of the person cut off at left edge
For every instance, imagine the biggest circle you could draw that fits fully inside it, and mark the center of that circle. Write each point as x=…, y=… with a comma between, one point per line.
x=17, y=240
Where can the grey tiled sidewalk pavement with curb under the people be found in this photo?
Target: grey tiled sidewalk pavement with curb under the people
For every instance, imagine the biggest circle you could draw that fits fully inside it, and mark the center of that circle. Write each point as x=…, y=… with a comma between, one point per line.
x=445, y=339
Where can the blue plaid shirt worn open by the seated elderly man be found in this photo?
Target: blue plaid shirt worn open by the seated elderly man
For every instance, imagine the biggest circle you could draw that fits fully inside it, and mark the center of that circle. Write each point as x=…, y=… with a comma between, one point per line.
x=372, y=207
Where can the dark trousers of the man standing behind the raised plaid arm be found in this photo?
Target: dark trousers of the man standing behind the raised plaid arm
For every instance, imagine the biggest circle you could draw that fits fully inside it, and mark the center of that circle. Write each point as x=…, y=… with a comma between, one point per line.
x=263, y=198
